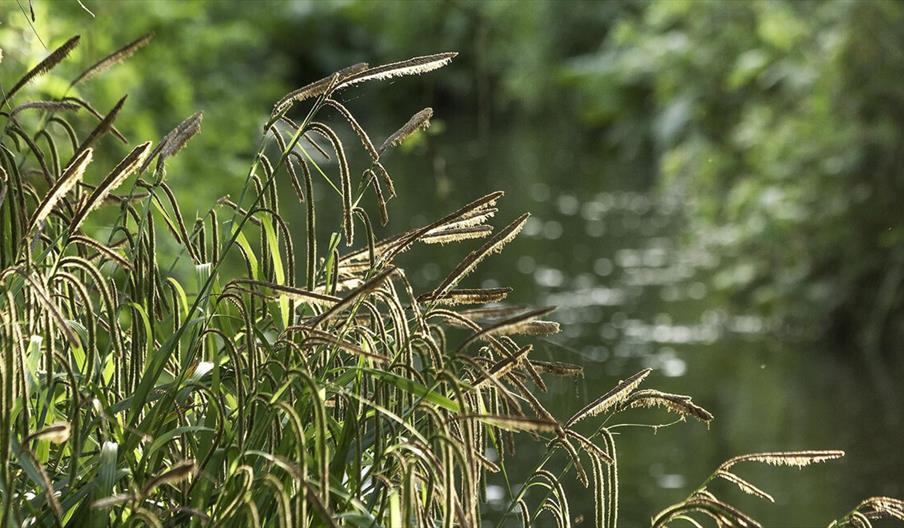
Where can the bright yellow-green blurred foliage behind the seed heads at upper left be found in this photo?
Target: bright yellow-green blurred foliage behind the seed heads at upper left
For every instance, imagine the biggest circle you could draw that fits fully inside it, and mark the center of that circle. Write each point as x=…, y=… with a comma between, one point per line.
x=203, y=58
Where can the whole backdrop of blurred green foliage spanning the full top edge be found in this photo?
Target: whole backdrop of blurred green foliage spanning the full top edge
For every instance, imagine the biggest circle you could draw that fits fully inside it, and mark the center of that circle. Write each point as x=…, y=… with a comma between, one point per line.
x=778, y=123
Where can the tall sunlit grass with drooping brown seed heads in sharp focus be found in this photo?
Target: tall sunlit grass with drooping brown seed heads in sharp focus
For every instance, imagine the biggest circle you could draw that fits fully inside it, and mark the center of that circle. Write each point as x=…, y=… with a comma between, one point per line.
x=242, y=381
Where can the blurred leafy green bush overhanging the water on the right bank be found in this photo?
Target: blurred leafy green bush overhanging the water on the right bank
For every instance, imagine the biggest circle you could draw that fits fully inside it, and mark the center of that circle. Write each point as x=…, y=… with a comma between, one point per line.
x=779, y=123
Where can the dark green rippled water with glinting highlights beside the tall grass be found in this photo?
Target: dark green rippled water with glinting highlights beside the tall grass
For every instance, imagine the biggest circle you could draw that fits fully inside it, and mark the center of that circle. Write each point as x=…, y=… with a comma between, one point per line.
x=630, y=294
